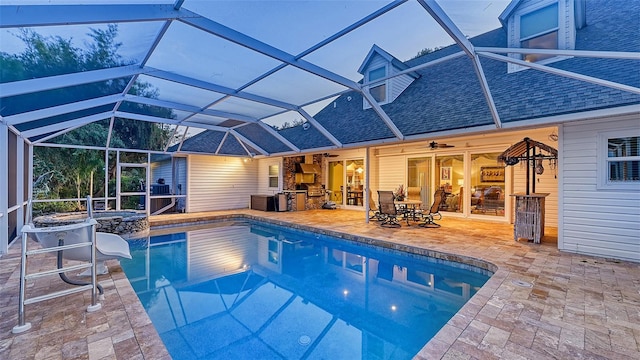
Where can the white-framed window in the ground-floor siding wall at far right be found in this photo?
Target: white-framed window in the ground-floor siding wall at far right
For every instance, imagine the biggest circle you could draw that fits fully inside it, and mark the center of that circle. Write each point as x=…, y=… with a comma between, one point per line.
x=619, y=167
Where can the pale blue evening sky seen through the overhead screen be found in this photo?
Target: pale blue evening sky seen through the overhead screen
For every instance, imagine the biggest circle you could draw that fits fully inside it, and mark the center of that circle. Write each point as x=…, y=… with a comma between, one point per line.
x=292, y=26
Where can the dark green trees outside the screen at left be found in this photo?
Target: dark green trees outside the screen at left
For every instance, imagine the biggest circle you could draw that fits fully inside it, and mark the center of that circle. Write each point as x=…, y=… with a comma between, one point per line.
x=71, y=172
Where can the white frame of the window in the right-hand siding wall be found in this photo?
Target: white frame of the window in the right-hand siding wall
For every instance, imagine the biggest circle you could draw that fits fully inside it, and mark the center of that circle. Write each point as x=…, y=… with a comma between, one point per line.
x=603, y=160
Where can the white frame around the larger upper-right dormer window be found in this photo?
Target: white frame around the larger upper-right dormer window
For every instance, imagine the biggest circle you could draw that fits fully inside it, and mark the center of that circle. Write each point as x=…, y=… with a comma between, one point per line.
x=566, y=30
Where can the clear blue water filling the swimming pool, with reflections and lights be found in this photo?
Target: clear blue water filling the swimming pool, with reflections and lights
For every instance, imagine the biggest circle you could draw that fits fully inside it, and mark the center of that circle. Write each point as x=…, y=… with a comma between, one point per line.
x=252, y=291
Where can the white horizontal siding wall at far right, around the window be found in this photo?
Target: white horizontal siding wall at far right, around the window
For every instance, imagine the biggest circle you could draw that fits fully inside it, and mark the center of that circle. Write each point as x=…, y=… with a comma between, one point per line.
x=600, y=222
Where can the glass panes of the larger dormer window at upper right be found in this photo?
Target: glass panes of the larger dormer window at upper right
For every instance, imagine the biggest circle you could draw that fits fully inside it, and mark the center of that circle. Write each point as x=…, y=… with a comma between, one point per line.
x=539, y=30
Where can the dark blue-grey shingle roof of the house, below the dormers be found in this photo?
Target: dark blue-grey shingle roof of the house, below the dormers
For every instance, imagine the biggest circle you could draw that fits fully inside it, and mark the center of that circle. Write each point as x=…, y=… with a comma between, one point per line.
x=448, y=96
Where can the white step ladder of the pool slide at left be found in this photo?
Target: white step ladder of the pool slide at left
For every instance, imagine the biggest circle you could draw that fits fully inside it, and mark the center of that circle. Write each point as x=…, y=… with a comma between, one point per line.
x=57, y=236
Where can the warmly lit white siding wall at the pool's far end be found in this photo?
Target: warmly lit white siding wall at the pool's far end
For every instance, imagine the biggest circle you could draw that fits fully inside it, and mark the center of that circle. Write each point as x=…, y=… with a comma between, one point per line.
x=220, y=183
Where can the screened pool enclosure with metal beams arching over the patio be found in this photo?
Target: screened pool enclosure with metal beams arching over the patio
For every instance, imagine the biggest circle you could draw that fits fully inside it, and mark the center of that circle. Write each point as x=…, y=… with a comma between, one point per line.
x=110, y=98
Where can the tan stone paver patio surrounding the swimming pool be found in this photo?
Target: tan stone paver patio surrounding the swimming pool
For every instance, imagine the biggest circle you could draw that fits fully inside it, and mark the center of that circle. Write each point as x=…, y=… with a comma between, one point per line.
x=578, y=307
